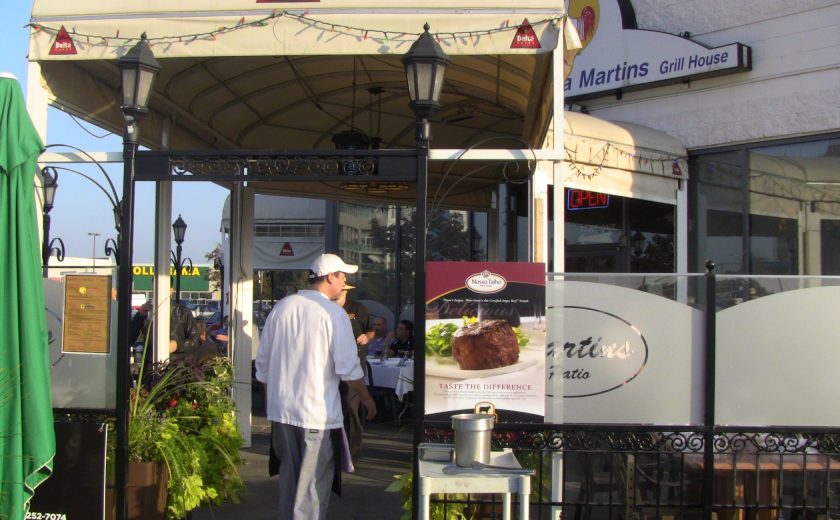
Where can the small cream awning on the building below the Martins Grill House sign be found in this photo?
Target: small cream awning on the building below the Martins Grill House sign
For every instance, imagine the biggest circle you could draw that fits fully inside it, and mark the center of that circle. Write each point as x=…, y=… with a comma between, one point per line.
x=623, y=159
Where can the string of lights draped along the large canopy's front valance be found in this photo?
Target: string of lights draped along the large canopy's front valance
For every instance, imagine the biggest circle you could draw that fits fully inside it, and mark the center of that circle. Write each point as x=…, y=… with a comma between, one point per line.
x=473, y=35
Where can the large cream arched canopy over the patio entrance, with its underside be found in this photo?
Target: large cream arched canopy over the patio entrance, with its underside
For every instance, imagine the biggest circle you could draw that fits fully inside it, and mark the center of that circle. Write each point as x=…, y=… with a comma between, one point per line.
x=252, y=74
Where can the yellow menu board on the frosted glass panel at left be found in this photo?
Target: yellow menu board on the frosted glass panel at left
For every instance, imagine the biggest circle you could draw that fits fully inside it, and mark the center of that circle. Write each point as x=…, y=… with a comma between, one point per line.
x=87, y=314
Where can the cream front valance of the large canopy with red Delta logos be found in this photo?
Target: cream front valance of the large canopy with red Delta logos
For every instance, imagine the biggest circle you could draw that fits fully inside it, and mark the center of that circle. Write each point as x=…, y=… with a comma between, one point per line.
x=104, y=30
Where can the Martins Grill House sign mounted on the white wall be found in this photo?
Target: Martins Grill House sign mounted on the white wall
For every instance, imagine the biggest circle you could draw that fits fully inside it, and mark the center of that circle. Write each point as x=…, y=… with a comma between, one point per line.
x=616, y=56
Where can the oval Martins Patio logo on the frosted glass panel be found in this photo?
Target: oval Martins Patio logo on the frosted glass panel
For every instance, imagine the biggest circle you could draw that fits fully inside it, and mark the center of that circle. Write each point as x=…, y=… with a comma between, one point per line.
x=600, y=352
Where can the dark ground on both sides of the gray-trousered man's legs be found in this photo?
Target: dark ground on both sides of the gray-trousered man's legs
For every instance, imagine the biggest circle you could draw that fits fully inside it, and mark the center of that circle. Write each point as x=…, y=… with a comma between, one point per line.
x=386, y=451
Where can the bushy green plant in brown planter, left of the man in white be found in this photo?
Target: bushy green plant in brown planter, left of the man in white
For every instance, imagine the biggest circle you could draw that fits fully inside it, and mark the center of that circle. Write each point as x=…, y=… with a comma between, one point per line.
x=186, y=420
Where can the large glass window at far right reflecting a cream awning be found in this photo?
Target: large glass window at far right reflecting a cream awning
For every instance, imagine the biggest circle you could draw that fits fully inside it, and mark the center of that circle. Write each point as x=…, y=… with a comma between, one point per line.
x=791, y=194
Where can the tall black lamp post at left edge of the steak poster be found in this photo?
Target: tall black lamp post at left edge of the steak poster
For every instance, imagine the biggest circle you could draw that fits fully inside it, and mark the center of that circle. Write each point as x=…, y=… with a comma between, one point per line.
x=425, y=64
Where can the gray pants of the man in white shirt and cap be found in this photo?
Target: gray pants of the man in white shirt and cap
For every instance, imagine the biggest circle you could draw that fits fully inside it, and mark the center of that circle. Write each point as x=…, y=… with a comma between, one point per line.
x=307, y=465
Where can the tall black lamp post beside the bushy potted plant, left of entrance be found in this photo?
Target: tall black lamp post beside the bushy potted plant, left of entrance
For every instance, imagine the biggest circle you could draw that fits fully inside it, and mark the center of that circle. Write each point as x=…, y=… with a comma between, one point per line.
x=138, y=69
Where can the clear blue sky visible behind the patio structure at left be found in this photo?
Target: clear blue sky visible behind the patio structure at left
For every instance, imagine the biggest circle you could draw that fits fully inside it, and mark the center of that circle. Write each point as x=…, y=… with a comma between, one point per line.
x=80, y=208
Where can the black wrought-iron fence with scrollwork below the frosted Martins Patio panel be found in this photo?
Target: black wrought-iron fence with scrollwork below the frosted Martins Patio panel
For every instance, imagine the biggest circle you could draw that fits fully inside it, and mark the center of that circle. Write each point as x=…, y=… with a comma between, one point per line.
x=592, y=472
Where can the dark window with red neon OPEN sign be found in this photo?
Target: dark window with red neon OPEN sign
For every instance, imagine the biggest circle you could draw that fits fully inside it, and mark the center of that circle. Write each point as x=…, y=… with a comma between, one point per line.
x=611, y=234
